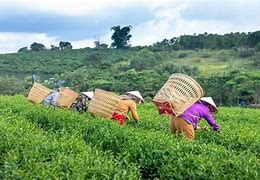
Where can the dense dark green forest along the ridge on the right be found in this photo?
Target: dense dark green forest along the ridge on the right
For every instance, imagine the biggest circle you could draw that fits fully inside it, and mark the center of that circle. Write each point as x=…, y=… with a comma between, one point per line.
x=211, y=41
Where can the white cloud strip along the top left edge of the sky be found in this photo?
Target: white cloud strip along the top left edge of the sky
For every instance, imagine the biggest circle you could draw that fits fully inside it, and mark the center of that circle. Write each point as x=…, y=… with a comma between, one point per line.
x=77, y=7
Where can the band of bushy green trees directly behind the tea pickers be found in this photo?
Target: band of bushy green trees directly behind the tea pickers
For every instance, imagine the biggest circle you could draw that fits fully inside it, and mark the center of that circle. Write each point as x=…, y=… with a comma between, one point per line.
x=226, y=89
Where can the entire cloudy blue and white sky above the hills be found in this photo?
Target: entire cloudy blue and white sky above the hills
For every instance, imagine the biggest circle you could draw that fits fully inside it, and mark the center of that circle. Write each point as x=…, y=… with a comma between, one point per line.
x=81, y=22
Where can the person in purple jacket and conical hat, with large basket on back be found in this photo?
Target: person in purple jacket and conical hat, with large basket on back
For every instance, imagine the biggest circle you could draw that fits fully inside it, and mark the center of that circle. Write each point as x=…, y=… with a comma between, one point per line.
x=181, y=97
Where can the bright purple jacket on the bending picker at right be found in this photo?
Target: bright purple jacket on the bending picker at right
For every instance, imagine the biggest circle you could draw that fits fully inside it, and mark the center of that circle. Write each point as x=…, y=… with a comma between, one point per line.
x=197, y=111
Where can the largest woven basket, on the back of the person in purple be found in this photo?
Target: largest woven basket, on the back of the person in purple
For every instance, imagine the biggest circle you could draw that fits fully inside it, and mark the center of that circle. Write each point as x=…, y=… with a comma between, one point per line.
x=177, y=94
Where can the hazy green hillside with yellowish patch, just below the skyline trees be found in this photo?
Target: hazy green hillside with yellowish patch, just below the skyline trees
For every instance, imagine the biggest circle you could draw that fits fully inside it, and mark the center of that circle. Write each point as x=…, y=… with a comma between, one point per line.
x=60, y=61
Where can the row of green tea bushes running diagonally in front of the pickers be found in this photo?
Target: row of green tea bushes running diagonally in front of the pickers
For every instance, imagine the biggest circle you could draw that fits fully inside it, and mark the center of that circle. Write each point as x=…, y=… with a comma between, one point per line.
x=159, y=155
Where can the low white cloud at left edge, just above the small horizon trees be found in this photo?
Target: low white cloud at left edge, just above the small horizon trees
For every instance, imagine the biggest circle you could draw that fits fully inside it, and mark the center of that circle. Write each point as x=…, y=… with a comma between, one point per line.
x=11, y=42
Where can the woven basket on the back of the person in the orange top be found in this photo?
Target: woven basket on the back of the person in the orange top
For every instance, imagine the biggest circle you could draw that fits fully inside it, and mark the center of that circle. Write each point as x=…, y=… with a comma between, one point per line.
x=103, y=103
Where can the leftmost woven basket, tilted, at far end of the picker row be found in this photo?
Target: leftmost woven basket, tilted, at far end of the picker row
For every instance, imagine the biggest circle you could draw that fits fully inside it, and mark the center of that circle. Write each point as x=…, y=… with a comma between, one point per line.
x=37, y=93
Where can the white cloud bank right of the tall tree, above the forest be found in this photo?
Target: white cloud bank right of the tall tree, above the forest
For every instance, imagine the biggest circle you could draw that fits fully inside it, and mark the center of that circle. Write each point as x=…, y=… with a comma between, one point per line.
x=154, y=31
